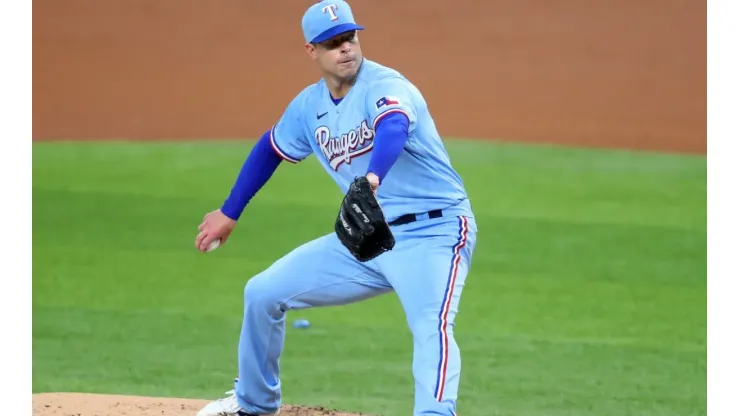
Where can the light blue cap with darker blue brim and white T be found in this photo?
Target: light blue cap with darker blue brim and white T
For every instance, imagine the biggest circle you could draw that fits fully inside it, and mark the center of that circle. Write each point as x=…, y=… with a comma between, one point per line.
x=327, y=19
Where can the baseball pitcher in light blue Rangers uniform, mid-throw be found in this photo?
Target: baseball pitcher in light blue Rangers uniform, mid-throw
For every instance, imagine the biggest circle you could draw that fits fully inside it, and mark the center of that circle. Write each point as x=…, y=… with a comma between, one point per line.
x=405, y=224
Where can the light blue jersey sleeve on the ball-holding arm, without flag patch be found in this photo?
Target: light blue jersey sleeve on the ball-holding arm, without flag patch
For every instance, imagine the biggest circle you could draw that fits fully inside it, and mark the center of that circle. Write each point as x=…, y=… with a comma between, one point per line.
x=287, y=137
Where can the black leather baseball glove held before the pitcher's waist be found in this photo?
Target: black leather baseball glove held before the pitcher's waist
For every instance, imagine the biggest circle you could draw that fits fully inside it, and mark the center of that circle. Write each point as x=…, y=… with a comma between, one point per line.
x=361, y=225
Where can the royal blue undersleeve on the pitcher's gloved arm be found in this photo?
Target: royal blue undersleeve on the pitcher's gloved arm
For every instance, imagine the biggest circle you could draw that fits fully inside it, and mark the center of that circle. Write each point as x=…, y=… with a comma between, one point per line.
x=391, y=135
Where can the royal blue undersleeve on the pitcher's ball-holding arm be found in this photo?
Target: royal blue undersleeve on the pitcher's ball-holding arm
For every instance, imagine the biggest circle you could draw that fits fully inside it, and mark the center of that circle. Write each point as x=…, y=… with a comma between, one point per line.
x=256, y=171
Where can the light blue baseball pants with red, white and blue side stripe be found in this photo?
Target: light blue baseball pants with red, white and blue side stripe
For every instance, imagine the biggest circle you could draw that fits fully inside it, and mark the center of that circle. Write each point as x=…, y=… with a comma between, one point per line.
x=426, y=269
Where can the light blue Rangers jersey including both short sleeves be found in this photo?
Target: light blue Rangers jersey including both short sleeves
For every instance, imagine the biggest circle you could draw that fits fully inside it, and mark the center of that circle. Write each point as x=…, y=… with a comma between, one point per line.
x=342, y=135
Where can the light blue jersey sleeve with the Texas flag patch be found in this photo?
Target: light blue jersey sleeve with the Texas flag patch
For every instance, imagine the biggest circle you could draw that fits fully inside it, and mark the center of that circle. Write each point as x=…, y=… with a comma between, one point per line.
x=389, y=96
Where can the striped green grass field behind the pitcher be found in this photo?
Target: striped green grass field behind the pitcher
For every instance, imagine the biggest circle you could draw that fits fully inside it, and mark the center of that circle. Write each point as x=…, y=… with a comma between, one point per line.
x=587, y=294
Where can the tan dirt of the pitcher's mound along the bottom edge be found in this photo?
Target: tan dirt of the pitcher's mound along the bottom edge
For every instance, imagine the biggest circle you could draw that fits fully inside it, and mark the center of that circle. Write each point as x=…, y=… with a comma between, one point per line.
x=81, y=404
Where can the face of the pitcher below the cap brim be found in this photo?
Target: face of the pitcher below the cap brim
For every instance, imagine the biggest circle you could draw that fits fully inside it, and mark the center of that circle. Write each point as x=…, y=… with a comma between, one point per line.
x=340, y=55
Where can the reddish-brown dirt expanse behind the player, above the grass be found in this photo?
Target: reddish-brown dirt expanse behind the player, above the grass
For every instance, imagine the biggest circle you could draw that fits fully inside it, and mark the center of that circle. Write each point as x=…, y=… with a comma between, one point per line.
x=625, y=73
